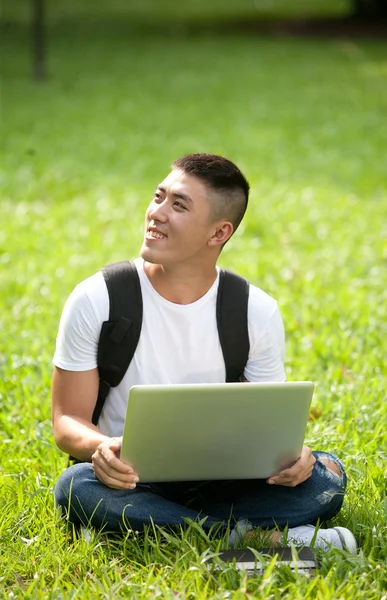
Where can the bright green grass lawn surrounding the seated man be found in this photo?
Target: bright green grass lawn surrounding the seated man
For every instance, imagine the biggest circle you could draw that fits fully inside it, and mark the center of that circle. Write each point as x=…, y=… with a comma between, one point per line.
x=81, y=156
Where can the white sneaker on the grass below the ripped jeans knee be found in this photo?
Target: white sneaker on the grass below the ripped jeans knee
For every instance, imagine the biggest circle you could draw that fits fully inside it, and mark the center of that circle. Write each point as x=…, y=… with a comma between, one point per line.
x=338, y=537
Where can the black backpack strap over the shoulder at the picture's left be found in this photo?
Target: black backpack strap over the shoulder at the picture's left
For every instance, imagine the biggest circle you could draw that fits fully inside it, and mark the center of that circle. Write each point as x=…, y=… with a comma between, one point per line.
x=120, y=334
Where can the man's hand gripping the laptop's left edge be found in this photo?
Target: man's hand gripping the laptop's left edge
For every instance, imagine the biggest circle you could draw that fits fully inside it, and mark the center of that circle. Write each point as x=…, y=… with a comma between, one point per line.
x=109, y=469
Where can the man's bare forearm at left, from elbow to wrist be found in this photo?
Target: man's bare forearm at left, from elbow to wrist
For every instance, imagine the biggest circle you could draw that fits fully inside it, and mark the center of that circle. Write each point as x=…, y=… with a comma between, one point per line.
x=77, y=437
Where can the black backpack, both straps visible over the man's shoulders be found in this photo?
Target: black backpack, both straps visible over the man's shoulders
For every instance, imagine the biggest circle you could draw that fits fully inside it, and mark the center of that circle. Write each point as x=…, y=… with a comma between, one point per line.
x=120, y=334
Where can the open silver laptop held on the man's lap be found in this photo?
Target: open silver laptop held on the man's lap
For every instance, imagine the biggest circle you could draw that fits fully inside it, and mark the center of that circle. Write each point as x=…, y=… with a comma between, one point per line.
x=215, y=431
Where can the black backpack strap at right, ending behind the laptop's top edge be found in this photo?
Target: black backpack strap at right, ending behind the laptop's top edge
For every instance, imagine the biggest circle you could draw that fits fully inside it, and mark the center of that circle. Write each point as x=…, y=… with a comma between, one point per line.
x=231, y=317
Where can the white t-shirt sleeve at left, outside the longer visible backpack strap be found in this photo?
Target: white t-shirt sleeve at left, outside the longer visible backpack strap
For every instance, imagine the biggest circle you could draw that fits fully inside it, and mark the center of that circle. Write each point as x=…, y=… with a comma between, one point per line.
x=78, y=335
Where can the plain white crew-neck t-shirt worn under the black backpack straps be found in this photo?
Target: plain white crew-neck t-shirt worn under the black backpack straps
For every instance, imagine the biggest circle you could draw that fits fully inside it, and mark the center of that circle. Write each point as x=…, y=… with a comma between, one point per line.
x=179, y=343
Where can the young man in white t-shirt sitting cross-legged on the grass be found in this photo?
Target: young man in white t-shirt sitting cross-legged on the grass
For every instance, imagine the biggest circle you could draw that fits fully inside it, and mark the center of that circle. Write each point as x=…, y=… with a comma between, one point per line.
x=194, y=212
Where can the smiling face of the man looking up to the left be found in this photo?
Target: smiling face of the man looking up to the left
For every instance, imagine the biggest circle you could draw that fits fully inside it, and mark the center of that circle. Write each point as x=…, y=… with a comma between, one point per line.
x=177, y=221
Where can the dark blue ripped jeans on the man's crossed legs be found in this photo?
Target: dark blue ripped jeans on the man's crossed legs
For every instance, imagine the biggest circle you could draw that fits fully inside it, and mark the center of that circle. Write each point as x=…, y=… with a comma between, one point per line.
x=87, y=501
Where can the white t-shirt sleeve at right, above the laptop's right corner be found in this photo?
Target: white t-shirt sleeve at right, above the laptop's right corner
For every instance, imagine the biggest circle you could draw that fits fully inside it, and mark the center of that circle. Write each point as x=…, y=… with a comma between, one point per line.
x=267, y=340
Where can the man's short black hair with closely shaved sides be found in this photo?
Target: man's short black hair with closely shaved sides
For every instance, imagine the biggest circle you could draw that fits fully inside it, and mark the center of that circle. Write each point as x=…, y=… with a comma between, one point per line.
x=222, y=176
